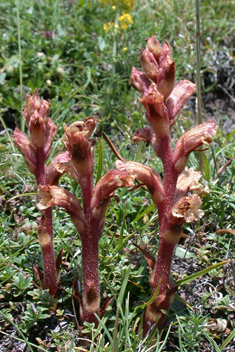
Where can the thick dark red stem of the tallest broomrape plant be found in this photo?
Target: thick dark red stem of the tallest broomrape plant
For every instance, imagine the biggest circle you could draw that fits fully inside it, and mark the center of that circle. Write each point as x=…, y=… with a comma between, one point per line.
x=162, y=269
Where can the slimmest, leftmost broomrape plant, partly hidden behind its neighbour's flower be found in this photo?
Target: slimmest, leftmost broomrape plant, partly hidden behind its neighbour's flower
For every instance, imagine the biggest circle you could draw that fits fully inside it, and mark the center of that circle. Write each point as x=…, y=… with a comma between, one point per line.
x=35, y=152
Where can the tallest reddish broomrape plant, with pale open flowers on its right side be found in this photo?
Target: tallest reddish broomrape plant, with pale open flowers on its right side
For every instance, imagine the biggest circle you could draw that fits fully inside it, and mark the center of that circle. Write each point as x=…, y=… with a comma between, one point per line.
x=163, y=100
